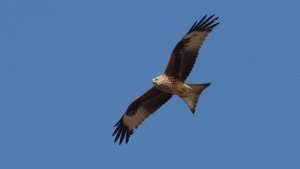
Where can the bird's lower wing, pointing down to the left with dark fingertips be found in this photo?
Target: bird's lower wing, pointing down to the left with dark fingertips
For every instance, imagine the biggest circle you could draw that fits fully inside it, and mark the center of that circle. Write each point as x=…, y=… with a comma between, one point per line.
x=138, y=111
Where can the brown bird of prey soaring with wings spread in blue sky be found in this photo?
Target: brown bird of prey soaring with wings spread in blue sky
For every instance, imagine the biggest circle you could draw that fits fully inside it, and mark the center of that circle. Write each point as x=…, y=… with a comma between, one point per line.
x=171, y=82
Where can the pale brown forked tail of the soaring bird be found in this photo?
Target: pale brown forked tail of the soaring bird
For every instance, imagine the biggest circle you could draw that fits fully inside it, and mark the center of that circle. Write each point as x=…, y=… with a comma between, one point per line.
x=192, y=99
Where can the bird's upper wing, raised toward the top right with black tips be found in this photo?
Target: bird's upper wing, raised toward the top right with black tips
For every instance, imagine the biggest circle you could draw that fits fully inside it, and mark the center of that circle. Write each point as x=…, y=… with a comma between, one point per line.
x=186, y=51
